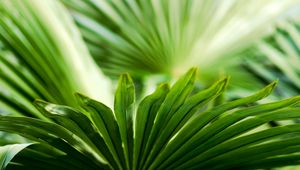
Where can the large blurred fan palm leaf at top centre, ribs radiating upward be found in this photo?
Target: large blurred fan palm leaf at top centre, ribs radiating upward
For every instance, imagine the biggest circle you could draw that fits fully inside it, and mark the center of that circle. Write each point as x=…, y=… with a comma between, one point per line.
x=142, y=37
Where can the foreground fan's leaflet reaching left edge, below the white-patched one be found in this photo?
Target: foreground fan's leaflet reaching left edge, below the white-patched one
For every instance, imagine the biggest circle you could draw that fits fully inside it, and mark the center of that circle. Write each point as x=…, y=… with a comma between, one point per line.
x=54, y=135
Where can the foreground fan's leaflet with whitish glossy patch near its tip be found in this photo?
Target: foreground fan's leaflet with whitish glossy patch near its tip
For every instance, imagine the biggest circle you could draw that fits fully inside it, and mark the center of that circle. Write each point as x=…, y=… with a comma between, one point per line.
x=79, y=125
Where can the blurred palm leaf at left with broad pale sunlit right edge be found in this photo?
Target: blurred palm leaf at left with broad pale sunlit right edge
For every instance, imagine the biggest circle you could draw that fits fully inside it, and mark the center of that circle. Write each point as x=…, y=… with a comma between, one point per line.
x=43, y=56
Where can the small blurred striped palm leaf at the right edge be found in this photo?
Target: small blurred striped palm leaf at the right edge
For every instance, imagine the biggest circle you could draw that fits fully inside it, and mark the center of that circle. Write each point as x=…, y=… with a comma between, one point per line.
x=278, y=57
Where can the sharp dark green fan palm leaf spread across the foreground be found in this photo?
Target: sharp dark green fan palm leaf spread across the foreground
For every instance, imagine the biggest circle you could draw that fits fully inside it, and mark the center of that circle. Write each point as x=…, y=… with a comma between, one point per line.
x=171, y=128
